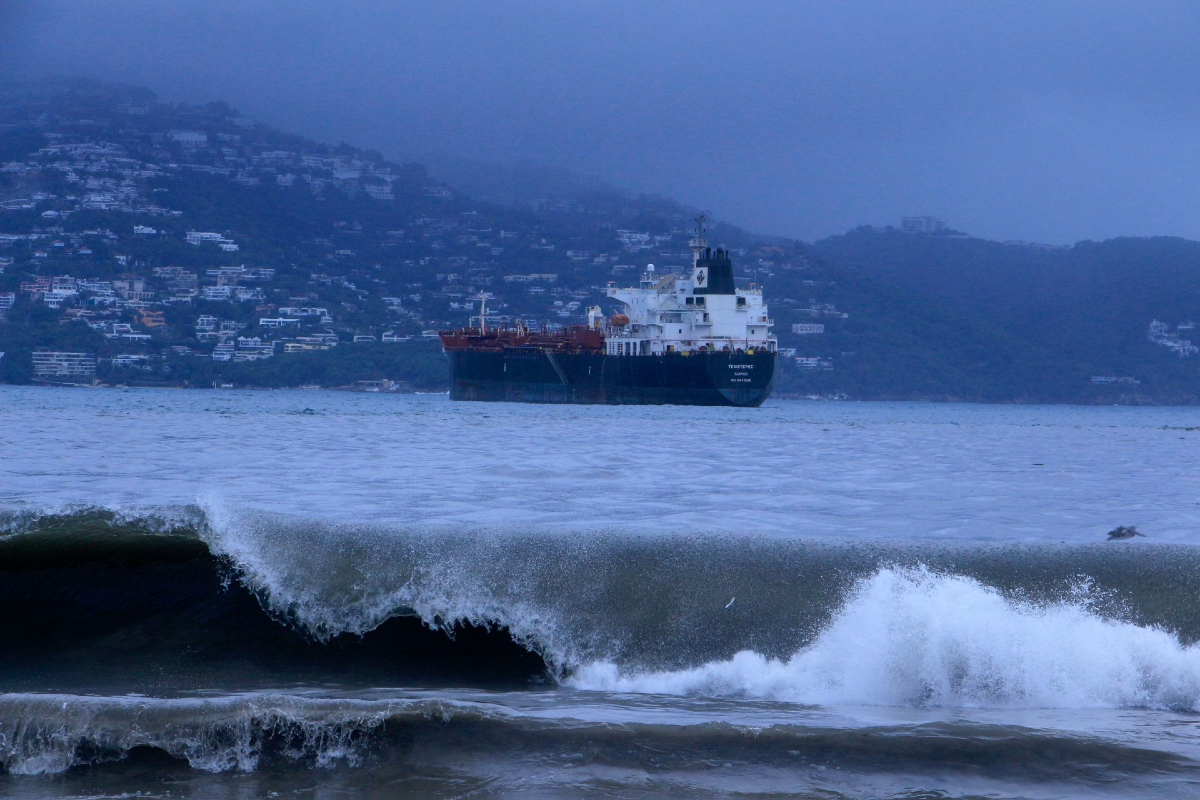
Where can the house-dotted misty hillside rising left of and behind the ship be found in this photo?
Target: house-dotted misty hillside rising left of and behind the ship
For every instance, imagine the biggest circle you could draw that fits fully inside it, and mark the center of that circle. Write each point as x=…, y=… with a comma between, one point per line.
x=159, y=237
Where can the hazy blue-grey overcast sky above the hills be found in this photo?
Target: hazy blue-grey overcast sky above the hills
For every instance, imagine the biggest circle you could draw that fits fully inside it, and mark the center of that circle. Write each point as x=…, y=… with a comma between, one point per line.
x=1045, y=122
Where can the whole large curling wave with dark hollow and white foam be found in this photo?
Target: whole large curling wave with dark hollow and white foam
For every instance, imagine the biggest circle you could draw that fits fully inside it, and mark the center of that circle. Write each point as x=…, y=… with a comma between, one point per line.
x=214, y=597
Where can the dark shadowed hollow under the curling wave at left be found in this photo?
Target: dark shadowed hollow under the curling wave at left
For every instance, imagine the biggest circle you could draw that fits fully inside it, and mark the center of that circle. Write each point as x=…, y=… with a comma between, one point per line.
x=97, y=601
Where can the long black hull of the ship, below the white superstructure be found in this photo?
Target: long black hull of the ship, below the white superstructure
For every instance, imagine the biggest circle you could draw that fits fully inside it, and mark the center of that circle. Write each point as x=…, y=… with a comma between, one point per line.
x=532, y=376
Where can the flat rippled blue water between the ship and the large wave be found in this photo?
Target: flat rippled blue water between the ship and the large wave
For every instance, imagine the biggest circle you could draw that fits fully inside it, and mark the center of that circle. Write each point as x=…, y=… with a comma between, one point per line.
x=791, y=468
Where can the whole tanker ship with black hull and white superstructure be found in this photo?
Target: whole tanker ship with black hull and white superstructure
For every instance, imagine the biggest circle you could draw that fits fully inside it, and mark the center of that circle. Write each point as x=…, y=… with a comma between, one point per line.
x=689, y=340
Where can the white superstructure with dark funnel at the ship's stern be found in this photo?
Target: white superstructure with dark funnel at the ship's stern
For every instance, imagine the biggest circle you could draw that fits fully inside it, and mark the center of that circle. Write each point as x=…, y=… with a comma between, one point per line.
x=701, y=312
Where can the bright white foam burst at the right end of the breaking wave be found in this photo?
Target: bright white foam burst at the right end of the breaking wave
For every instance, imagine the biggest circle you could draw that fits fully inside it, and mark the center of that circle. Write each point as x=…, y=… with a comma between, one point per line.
x=916, y=637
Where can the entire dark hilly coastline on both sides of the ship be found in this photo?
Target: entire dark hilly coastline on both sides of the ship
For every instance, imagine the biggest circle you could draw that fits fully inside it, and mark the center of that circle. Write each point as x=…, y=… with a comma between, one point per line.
x=170, y=244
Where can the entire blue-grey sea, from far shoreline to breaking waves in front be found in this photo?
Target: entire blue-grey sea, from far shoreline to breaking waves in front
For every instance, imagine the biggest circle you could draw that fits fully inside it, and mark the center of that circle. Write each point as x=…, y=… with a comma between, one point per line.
x=226, y=594
